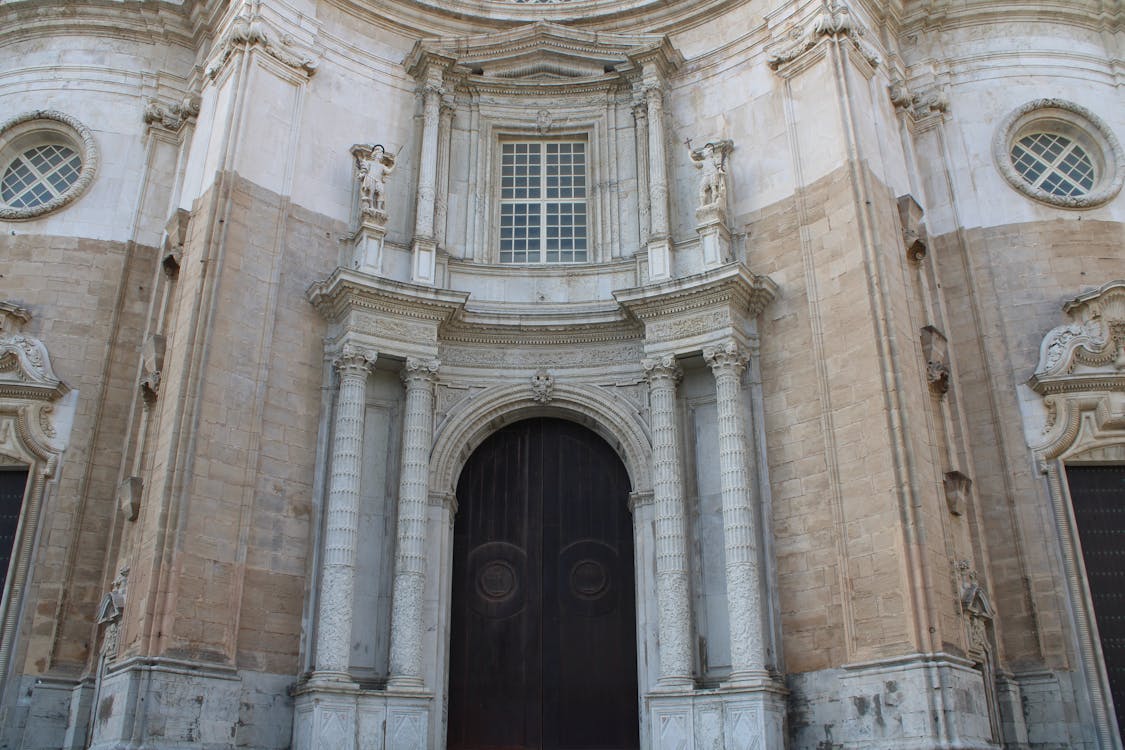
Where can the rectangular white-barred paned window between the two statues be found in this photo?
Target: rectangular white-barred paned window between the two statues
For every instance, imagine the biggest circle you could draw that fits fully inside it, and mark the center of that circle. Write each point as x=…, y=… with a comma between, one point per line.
x=543, y=203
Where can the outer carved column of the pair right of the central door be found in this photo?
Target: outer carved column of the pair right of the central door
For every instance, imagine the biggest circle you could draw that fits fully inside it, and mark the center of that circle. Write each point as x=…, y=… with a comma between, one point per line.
x=740, y=527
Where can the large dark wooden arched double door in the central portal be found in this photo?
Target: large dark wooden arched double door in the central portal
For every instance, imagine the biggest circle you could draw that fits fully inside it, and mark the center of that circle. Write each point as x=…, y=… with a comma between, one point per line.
x=544, y=650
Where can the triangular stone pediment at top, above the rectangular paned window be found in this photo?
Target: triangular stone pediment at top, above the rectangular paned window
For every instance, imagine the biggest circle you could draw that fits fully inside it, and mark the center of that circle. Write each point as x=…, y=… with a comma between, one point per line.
x=543, y=52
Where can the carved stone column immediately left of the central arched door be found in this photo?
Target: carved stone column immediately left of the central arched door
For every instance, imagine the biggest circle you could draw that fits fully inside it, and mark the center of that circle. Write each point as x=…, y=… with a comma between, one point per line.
x=410, y=555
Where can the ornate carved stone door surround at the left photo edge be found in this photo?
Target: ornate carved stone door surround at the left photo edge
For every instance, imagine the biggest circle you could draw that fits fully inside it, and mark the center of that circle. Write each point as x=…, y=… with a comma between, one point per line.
x=35, y=415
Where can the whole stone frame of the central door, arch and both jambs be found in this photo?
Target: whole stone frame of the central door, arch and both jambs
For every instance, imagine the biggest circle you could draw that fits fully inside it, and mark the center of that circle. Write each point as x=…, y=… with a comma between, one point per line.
x=620, y=423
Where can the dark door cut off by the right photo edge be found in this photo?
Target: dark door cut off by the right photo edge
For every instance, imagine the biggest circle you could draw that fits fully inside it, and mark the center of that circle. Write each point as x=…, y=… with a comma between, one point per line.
x=1099, y=498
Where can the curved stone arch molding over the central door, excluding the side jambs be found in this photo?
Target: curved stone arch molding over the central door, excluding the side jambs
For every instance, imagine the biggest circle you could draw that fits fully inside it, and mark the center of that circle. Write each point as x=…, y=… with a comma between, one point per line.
x=478, y=418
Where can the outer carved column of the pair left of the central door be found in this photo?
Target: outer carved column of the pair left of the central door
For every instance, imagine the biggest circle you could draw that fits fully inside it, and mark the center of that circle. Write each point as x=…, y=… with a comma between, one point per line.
x=338, y=573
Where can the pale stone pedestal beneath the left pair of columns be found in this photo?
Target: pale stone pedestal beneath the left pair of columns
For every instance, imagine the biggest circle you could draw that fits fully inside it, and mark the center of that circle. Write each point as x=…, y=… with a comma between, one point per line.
x=362, y=720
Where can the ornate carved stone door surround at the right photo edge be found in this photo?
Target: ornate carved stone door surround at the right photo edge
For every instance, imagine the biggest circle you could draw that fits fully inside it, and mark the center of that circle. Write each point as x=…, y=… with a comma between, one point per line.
x=1082, y=378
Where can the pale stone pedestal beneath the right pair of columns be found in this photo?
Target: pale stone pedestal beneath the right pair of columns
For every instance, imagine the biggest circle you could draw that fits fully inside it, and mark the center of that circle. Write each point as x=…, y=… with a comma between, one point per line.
x=725, y=718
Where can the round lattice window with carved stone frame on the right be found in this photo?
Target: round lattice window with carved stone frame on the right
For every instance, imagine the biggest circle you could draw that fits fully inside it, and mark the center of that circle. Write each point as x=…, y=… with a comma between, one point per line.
x=1060, y=153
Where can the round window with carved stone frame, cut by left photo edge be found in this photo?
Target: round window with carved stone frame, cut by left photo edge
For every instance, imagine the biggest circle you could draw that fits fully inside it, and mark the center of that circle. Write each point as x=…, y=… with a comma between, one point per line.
x=48, y=159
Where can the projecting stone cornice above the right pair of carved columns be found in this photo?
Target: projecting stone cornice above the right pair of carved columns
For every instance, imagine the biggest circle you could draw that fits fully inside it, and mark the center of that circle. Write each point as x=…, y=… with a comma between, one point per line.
x=730, y=285
